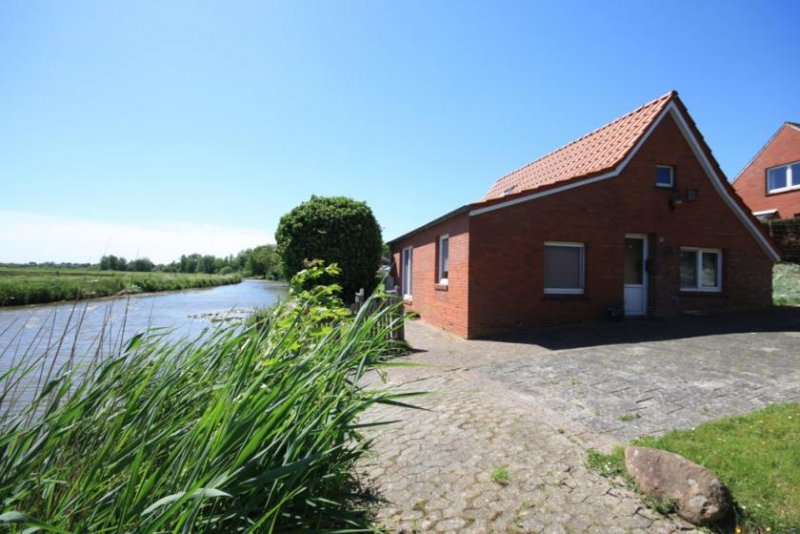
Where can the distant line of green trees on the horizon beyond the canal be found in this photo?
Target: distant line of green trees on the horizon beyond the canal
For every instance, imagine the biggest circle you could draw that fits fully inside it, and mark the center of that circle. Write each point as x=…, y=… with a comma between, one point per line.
x=262, y=261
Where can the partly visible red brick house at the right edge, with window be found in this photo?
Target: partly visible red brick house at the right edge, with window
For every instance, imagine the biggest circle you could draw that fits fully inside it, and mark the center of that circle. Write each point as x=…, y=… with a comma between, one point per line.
x=770, y=183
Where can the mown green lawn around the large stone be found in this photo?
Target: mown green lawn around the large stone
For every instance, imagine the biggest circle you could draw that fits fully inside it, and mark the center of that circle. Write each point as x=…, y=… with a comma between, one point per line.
x=756, y=455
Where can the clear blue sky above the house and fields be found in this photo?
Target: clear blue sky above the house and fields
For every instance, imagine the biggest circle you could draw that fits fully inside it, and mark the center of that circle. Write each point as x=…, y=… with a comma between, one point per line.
x=159, y=128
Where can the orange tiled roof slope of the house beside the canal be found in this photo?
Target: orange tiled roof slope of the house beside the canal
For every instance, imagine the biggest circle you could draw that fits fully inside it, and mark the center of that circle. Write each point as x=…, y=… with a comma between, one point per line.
x=594, y=153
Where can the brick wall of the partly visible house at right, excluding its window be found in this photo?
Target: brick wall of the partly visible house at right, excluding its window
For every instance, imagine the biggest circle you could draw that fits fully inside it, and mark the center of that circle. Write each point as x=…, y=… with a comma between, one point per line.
x=751, y=184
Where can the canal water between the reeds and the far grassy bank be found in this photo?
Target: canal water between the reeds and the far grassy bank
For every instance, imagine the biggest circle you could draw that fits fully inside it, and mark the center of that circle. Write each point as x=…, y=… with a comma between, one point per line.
x=79, y=331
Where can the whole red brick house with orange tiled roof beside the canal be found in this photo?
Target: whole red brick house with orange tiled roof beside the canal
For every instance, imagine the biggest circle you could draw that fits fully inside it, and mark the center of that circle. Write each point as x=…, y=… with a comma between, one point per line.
x=636, y=214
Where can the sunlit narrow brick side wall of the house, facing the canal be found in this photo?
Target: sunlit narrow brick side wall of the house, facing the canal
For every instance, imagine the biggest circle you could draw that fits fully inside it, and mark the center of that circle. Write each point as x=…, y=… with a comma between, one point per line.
x=437, y=304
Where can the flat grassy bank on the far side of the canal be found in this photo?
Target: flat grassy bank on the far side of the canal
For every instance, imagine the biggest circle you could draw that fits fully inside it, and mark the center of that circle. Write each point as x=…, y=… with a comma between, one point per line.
x=33, y=285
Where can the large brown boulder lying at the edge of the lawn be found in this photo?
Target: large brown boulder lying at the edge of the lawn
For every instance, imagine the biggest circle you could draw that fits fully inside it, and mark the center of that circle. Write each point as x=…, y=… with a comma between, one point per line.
x=698, y=495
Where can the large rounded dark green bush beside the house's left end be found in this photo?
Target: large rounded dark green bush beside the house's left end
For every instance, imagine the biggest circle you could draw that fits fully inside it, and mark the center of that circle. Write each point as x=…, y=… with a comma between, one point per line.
x=336, y=230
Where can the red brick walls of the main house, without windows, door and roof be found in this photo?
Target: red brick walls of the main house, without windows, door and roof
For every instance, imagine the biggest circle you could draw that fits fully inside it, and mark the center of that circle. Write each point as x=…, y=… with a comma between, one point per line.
x=496, y=281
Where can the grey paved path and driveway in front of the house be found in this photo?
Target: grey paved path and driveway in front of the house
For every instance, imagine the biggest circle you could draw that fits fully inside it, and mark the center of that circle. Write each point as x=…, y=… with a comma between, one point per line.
x=533, y=406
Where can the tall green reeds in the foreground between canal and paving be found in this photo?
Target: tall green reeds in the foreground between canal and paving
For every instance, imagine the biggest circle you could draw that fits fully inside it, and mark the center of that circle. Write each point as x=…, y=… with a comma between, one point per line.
x=242, y=430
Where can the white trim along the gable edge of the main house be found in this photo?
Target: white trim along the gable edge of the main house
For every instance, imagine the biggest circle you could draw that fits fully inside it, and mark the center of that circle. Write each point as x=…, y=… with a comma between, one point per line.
x=716, y=181
